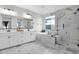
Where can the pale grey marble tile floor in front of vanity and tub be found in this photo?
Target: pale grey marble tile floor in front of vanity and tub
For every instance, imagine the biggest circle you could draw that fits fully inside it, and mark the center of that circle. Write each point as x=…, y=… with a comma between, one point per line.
x=34, y=48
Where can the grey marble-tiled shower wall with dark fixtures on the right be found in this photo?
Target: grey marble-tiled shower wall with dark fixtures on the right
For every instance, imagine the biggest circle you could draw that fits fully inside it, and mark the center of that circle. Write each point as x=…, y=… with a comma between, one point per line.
x=69, y=32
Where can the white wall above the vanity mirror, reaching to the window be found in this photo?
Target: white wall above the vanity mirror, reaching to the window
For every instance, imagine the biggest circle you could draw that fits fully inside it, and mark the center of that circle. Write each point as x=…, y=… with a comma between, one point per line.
x=37, y=19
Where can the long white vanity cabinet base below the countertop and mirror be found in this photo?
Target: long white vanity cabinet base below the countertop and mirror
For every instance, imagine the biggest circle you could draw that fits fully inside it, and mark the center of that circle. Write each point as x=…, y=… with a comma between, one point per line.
x=10, y=39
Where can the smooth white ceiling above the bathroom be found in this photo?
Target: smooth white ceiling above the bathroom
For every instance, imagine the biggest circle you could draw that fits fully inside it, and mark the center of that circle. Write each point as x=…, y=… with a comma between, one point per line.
x=43, y=9
